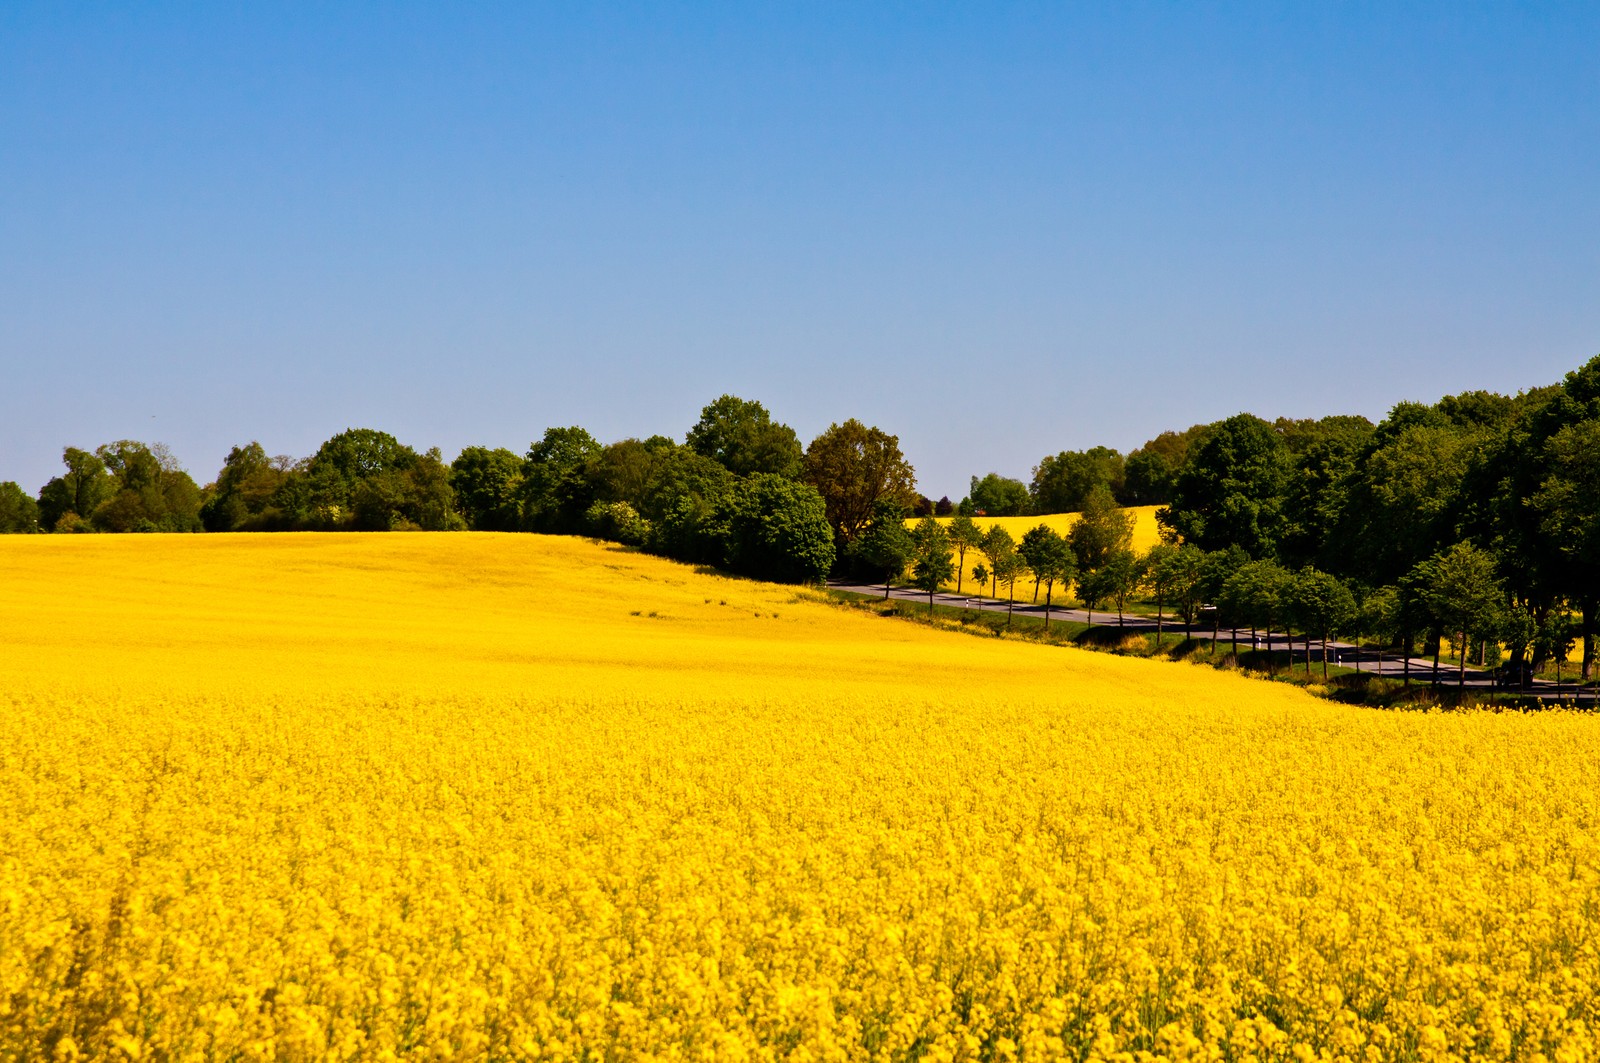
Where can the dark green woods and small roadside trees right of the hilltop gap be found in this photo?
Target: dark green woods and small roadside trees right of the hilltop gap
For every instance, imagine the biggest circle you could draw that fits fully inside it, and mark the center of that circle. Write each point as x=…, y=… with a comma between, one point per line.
x=1473, y=521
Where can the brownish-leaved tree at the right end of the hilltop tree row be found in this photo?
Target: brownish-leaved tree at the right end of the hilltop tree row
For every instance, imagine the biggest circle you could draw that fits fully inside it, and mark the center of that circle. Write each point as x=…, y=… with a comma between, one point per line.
x=855, y=468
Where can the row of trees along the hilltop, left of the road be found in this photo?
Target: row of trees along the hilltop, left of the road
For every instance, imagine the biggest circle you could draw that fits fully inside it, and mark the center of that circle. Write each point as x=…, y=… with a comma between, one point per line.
x=740, y=492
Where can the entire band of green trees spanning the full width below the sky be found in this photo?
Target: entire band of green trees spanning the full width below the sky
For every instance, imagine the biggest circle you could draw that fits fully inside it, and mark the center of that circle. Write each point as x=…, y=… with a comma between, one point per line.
x=1474, y=519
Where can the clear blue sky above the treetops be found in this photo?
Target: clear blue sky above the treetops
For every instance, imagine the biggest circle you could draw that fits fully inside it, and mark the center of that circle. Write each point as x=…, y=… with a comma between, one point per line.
x=998, y=231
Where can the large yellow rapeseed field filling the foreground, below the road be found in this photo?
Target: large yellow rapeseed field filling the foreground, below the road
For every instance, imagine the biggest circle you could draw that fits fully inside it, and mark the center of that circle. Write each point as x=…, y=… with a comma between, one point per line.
x=319, y=798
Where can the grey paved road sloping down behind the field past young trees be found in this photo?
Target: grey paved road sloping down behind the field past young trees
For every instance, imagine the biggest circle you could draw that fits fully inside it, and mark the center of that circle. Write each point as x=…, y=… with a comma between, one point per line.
x=1343, y=654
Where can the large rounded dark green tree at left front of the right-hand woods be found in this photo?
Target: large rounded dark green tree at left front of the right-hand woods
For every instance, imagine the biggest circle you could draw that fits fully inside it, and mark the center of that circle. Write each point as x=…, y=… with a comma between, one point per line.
x=1231, y=489
